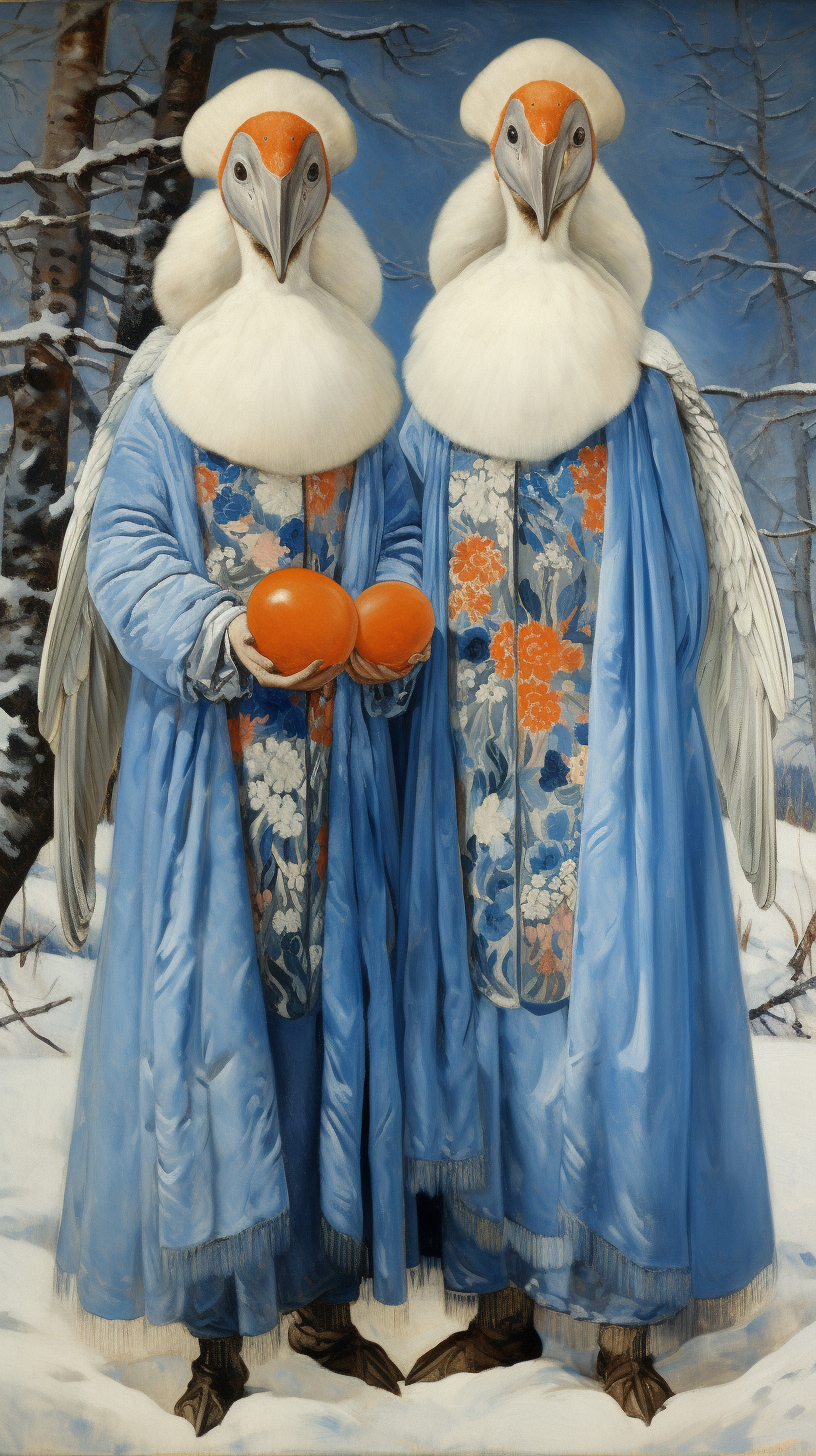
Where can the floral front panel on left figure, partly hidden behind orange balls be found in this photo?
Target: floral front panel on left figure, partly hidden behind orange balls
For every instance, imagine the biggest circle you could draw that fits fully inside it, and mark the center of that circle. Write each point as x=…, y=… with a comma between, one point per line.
x=254, y=523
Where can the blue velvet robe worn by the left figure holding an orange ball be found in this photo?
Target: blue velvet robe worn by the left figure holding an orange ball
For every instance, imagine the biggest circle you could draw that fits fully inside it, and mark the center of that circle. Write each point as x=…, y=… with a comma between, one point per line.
x=177, y=1203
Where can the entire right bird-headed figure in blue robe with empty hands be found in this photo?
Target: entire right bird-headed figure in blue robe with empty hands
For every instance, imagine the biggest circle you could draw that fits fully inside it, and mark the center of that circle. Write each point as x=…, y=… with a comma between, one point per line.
x=613, y=644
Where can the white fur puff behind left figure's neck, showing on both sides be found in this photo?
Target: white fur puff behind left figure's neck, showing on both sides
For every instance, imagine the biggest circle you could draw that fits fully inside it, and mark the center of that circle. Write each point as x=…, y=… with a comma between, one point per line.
x=202, y=260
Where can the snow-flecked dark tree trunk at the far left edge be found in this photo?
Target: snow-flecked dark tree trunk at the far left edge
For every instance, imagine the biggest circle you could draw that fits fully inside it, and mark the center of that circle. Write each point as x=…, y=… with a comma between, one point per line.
x=39, y=455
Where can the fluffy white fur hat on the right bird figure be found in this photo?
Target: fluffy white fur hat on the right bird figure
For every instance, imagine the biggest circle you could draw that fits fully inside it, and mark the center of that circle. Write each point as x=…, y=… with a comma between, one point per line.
x=541, y=60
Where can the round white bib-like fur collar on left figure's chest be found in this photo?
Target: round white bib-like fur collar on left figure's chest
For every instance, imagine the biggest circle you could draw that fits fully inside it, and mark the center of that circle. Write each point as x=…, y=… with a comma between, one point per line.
x=279, y=376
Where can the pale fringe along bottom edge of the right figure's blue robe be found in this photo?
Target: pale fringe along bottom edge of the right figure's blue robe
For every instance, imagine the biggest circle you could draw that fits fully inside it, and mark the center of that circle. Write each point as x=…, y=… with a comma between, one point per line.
x=700, y=1317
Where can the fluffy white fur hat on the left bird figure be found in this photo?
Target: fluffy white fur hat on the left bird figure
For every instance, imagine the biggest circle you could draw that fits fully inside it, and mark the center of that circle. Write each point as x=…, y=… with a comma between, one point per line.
x=219, y=119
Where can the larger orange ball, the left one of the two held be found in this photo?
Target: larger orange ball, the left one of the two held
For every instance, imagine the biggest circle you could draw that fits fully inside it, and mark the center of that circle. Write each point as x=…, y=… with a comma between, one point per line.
x=298, y=617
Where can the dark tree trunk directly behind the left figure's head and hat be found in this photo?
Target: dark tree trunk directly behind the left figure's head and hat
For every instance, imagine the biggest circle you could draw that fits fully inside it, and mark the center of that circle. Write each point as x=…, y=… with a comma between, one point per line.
x=168, y=189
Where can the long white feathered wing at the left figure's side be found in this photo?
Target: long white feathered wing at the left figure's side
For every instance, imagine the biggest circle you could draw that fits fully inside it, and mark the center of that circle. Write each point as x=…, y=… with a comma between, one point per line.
x=84, y=679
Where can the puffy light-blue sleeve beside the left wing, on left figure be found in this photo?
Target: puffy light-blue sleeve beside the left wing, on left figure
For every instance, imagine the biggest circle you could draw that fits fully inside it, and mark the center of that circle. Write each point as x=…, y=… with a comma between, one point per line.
x=145, y=563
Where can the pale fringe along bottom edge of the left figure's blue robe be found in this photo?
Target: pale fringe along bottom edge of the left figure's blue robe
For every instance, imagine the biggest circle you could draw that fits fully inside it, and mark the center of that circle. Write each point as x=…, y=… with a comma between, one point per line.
x=138, y=1339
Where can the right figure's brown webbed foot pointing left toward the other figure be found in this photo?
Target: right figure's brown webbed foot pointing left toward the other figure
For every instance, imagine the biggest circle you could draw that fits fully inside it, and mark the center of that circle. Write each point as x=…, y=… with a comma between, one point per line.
x=502, y=1334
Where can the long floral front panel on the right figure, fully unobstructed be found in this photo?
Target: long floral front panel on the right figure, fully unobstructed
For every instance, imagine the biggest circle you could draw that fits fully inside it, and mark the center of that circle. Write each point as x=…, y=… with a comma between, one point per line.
x=525, y=567
